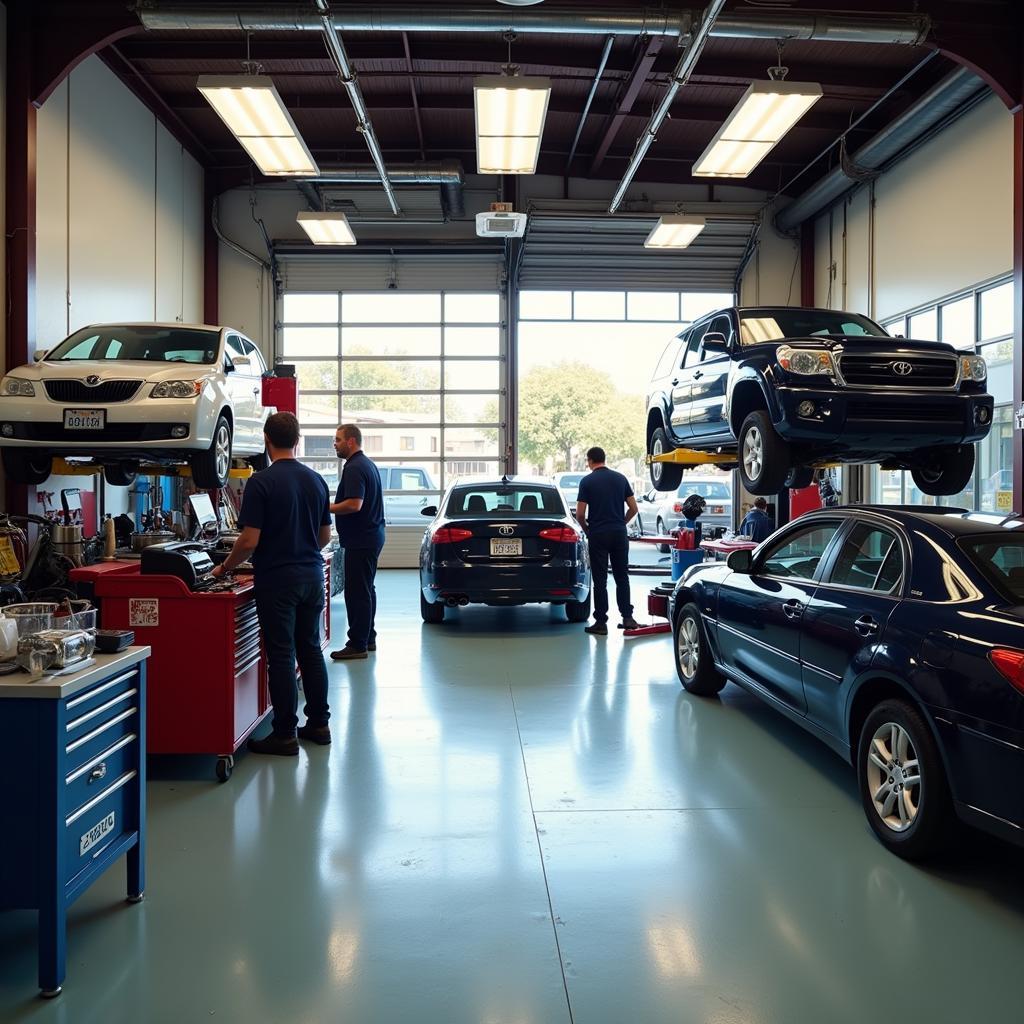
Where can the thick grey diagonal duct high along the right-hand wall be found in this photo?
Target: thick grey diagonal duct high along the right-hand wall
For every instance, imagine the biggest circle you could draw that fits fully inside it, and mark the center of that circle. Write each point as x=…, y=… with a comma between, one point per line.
x=943, y=101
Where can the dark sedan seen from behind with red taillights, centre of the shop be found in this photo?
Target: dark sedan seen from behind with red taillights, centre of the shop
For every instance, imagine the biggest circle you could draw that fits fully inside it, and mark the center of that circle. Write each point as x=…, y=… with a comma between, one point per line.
x=503, y=542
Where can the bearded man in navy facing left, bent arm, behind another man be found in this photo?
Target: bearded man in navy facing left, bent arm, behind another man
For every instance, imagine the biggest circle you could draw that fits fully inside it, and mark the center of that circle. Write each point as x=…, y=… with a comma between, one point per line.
x=359, y=509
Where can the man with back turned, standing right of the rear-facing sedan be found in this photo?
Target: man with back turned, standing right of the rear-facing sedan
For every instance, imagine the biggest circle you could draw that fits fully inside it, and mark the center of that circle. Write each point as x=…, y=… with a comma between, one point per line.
x=605, y=507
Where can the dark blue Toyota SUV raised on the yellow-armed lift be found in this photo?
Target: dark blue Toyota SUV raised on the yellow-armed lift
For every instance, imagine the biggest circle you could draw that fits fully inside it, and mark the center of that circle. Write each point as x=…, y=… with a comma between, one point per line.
x=778, y=391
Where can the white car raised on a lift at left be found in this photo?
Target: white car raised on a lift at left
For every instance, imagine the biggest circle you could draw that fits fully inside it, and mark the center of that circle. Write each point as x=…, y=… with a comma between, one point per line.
x=119, y=395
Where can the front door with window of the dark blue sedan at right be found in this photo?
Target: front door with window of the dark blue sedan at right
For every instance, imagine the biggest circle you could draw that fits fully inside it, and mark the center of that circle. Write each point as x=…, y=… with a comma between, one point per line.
x=760, y=613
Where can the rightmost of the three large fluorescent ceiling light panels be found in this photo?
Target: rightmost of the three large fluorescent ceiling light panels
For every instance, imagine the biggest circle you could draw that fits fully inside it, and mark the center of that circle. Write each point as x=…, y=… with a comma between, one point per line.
x=766, y=112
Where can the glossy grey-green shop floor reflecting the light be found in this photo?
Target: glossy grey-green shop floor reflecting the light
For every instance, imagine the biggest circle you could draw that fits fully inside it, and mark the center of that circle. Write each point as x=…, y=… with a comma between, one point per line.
x=521, y=824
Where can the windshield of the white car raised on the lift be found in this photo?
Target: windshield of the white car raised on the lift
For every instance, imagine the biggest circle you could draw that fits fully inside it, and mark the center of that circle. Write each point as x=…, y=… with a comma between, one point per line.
x=150, y=345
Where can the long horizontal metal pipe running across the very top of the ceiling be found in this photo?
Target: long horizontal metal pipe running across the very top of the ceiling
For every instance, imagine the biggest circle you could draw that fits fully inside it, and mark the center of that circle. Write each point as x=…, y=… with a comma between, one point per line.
x=906, y=29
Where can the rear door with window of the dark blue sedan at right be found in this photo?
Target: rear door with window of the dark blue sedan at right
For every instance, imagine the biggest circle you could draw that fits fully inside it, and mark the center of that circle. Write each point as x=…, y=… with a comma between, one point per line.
x=846, y=618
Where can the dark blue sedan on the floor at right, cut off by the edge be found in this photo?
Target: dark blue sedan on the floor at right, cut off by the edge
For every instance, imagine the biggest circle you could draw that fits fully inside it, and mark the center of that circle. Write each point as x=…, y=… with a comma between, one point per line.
x=895, y=635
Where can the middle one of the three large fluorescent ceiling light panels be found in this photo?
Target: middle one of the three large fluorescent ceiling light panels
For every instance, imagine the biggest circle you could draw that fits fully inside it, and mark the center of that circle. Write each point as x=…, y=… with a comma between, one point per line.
x=510, y=115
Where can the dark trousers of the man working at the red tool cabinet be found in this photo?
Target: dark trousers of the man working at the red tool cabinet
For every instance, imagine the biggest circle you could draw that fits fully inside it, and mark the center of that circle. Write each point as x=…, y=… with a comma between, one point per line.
x=290, y=621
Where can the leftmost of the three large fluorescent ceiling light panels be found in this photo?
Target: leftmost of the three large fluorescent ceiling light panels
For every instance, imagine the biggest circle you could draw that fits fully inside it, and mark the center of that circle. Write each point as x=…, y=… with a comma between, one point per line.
x=255, y=115
